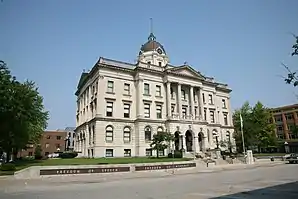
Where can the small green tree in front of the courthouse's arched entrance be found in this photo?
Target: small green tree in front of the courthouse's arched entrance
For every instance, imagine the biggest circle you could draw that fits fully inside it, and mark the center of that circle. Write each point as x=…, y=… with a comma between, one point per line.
x=161, y=141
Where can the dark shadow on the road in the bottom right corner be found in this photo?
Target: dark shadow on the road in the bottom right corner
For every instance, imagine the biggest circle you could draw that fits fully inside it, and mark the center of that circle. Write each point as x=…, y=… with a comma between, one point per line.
x=283, y=191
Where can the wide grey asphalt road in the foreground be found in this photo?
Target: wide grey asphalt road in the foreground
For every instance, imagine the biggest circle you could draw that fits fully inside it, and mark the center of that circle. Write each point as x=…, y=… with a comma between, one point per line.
x=280, y=181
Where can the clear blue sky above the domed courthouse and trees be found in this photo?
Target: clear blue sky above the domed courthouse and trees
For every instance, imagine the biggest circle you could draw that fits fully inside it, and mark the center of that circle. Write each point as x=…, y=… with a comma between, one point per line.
x=241, y=43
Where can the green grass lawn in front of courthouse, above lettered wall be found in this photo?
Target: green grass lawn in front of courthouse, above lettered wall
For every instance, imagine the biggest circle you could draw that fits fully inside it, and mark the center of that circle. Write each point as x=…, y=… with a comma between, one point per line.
x=86, y=161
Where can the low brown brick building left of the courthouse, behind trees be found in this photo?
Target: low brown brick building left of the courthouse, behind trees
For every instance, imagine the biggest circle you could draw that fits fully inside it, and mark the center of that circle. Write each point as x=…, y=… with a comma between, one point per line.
x=51, y=142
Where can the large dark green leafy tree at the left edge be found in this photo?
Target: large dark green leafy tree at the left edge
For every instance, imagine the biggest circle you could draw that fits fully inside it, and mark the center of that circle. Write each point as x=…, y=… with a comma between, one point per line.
x=22, y=114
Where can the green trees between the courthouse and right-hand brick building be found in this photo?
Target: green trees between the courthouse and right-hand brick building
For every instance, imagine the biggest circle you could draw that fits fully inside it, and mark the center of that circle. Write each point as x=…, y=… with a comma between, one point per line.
x=257, y=130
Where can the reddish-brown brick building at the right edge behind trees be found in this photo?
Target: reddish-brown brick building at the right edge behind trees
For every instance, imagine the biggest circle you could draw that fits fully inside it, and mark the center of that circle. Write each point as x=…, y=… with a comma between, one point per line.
x=286, y=120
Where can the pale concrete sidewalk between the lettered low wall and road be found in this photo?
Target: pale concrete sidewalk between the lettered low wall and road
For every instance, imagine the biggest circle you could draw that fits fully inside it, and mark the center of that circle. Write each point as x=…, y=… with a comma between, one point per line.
x=98, y=178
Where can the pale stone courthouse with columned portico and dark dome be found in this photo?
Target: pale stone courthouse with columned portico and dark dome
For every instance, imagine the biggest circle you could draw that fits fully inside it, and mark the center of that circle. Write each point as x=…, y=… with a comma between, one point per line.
x=120, y=106
